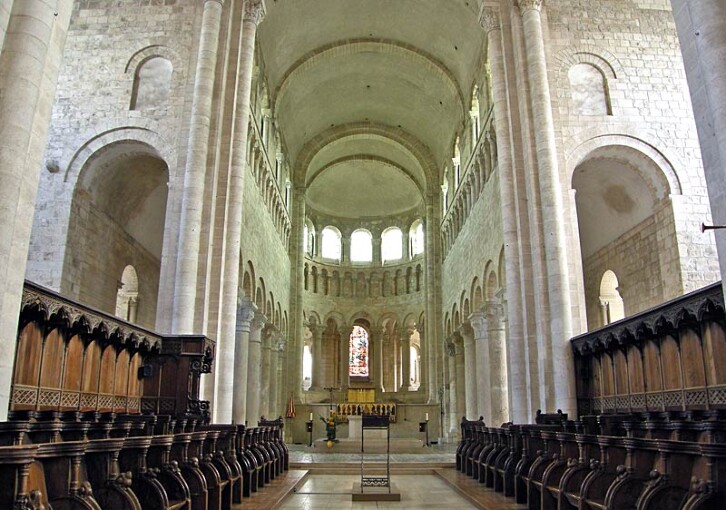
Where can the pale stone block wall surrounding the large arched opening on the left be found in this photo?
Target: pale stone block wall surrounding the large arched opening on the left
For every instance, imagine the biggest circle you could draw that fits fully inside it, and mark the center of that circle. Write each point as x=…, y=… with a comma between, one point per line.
x=105, y=45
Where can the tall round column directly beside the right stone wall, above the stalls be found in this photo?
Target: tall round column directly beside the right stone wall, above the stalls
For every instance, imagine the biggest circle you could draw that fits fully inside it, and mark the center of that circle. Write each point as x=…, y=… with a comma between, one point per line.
x=558, y=375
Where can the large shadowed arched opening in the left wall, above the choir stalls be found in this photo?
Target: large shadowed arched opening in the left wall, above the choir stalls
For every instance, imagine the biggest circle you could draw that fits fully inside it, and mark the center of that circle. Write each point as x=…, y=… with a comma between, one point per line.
x=118, y=213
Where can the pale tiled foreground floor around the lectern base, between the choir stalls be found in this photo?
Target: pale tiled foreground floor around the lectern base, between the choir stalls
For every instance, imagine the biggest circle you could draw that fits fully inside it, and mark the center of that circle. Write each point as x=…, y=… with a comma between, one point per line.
x=324, y=491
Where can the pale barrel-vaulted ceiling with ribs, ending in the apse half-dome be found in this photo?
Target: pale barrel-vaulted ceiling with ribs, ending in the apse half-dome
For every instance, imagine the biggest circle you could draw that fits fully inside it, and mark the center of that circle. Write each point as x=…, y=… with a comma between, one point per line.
x=369, y=95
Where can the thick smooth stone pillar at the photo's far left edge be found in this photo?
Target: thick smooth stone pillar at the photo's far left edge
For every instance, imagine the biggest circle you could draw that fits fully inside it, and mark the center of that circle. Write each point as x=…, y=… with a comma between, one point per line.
x=29, y=60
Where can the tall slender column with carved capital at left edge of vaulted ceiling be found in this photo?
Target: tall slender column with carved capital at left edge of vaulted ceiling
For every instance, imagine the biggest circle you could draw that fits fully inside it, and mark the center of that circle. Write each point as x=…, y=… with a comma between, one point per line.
x=254, y=11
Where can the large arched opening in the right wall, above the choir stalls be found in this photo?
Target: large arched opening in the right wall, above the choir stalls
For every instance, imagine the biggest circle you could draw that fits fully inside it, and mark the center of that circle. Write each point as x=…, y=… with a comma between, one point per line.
x=627, y=227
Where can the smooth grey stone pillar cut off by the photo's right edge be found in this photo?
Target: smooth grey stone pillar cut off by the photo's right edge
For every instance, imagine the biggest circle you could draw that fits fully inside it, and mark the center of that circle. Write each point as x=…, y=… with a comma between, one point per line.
x=701, y=28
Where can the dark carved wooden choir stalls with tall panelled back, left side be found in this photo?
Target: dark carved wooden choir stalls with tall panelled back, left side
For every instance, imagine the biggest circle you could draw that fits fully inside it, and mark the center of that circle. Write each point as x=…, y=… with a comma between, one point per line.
x=106, y=415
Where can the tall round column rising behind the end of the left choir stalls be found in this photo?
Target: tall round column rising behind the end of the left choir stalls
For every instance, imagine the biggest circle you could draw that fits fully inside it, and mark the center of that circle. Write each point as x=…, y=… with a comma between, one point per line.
x=190, y=223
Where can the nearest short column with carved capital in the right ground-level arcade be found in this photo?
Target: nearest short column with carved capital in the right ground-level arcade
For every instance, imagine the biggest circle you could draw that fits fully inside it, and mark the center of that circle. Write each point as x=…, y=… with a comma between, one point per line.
x=497, y=364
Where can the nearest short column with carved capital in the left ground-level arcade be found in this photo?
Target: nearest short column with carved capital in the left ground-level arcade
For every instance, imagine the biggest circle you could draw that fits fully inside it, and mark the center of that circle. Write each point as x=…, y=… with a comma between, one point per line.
x=245, y=314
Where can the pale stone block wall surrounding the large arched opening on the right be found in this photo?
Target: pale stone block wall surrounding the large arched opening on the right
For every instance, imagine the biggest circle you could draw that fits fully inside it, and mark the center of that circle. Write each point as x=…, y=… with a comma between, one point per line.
x=635, y=47
